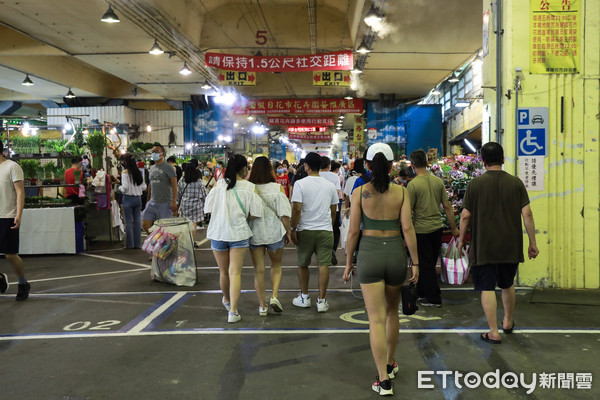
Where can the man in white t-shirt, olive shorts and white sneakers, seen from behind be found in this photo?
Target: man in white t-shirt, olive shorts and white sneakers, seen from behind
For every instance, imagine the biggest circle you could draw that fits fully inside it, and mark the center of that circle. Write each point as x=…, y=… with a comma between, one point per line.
x=314, y=205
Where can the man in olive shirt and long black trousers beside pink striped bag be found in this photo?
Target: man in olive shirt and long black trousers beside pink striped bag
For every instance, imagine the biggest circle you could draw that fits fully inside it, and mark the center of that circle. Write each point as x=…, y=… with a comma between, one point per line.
x=426, y=193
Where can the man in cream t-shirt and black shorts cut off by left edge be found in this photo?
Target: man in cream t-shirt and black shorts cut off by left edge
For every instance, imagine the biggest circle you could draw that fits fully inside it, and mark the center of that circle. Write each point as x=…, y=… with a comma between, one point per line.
x=12, y=201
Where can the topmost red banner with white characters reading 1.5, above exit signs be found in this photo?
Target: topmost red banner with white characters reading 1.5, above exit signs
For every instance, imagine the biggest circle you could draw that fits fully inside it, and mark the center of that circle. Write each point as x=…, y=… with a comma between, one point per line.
x=336, y=61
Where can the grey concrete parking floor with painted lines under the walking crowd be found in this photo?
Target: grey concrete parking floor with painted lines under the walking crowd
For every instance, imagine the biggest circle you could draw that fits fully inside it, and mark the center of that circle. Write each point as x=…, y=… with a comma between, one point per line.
x=96, y=327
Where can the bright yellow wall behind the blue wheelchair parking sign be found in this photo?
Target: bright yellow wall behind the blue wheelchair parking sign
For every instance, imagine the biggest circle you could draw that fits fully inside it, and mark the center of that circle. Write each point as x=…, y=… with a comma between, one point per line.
x=567, y=212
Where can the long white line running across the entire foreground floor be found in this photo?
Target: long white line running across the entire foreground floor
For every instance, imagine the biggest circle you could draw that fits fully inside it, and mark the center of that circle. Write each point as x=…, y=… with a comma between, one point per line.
x=259, y=331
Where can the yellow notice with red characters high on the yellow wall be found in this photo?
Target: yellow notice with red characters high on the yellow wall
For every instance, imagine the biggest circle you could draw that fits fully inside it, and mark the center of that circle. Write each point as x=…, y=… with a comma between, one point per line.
x=554, y=36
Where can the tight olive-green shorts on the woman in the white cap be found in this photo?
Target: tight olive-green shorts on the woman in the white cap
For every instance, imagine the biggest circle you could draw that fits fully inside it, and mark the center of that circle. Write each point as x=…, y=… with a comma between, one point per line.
x=382, y=258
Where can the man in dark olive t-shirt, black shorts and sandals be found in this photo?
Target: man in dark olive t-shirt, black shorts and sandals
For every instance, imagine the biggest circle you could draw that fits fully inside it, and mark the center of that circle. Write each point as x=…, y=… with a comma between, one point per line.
x=494, y=204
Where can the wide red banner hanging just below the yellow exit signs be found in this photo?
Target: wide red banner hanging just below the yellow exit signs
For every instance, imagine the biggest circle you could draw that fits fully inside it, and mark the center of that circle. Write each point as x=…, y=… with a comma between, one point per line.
x=300, y=106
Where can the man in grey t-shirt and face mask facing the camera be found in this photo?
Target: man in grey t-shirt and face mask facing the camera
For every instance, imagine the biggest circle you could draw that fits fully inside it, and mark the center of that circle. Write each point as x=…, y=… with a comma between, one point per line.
x=162, y=191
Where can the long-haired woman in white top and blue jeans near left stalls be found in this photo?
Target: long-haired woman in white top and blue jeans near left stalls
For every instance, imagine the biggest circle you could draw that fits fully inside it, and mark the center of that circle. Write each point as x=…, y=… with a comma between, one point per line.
x=132, y=186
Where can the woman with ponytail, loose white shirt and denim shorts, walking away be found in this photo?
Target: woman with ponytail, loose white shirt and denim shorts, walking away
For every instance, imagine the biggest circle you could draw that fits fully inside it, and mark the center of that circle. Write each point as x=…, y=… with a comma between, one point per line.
x=231, y=202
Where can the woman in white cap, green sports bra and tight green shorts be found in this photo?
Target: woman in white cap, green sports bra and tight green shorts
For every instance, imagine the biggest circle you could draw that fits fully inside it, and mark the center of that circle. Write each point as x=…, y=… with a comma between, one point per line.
x=382, y=265
